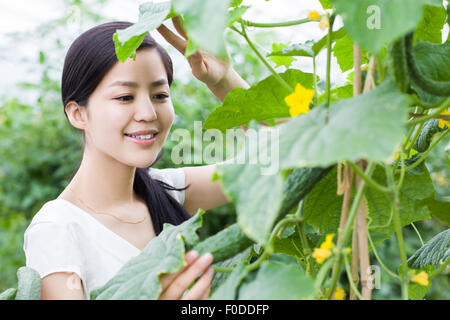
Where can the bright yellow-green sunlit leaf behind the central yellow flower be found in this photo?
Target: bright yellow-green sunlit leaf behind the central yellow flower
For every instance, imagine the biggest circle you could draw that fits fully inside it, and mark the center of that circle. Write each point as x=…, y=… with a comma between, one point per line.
x=263, y=101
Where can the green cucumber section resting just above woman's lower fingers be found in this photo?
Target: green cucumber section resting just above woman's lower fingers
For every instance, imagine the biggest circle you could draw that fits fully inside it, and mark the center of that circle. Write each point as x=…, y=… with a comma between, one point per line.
x=224, y=244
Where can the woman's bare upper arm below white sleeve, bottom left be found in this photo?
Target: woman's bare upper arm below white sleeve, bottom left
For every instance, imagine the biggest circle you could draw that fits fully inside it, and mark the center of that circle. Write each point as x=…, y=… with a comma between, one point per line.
x=62, y=286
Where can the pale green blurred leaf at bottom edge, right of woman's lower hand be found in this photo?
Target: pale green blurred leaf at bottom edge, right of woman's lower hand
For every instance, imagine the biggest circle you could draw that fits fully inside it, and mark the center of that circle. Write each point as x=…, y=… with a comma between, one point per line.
x=278, y=281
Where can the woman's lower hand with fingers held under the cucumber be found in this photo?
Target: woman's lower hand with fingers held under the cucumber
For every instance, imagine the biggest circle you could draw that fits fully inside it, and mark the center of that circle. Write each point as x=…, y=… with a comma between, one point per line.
x=175, y=284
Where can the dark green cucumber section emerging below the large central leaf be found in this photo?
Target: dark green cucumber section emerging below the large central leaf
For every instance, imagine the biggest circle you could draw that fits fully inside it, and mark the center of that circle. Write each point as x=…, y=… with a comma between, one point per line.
x=298, y=184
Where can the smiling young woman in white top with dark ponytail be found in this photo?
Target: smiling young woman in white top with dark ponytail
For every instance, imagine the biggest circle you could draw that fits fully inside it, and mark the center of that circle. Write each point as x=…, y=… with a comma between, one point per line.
x=116, y=203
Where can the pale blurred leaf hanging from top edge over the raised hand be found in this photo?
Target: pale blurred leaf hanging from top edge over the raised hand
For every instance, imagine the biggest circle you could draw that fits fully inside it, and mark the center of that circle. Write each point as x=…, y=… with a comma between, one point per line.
x=204, y=22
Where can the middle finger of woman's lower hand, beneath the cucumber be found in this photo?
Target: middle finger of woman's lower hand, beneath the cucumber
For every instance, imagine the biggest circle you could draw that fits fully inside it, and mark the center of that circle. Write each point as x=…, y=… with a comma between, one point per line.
x=182, y=282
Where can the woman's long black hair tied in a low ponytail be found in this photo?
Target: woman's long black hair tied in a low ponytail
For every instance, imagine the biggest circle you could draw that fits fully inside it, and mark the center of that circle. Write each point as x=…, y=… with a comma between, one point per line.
x=87, y=61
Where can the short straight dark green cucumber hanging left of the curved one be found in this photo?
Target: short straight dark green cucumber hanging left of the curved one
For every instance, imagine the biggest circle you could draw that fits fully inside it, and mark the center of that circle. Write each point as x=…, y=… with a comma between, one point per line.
x=397, y=65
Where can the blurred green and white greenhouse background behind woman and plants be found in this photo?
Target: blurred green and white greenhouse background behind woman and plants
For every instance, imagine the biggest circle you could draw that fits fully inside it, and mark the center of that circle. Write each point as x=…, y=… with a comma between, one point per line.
x=39, y=149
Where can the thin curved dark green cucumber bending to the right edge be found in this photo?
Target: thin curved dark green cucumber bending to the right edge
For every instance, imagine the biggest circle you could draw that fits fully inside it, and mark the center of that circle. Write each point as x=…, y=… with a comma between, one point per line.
x=437, y=88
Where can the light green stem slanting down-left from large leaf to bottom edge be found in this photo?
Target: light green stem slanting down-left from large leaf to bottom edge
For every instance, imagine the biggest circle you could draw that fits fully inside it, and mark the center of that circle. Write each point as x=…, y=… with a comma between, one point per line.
x=348, y=229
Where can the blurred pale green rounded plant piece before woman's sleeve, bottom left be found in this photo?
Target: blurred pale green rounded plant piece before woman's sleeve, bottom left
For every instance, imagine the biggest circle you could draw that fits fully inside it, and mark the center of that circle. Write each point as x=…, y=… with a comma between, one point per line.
x=29, y=287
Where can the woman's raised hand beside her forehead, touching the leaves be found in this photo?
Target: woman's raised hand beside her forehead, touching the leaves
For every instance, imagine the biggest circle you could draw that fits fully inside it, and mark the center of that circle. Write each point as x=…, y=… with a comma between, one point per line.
x=205, y=66
